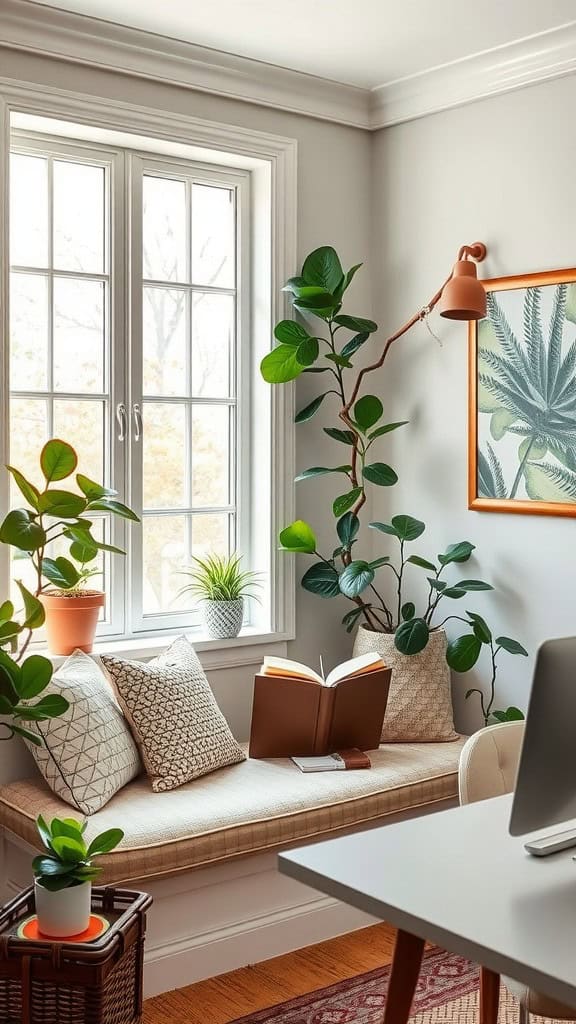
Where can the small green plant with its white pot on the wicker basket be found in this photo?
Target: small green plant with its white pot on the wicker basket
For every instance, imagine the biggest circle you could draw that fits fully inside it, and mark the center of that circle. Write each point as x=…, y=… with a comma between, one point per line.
x=64, y=875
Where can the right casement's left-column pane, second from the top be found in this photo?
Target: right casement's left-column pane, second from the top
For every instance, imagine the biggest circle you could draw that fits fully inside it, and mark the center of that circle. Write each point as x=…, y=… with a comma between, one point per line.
x=166, y=350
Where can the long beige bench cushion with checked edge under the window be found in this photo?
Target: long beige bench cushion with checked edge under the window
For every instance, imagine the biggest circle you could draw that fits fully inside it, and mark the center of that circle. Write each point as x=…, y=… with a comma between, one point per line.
x=246, y=808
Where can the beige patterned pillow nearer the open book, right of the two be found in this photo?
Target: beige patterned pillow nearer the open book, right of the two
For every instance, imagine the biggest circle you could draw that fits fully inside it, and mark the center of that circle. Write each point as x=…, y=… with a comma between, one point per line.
x=181, y=732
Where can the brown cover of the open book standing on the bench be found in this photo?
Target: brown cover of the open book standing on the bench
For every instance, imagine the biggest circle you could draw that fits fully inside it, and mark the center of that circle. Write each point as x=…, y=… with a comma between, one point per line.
x=302, y=718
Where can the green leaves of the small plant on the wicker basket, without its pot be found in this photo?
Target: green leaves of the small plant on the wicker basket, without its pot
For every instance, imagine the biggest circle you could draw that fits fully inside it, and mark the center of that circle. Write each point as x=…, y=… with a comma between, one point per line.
x=68, y=861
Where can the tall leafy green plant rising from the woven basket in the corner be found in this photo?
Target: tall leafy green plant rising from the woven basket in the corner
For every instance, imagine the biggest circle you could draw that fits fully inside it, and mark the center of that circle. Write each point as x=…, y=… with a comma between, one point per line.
x=394, y=627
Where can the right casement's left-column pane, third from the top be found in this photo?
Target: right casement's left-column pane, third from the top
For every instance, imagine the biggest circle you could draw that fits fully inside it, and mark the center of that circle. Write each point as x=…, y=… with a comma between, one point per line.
x=164, y=456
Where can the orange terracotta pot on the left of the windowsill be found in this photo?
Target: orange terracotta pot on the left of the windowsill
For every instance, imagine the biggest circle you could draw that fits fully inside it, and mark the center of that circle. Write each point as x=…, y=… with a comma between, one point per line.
x=72, y=620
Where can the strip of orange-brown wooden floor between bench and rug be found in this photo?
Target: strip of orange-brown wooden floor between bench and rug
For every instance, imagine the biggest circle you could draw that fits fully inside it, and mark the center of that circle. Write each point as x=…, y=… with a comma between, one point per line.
x=222, y=1000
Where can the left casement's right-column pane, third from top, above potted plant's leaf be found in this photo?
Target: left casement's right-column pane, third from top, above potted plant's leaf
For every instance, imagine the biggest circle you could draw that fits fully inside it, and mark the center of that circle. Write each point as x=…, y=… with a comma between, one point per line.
x=81, y=424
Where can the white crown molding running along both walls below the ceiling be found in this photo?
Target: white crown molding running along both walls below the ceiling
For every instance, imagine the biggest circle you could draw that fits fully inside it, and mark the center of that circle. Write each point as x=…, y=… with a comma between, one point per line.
x=34, y=28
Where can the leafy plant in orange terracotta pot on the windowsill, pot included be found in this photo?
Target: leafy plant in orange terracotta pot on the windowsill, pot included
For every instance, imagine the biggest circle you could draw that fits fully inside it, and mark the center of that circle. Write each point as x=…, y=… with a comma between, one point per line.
x=53, y=515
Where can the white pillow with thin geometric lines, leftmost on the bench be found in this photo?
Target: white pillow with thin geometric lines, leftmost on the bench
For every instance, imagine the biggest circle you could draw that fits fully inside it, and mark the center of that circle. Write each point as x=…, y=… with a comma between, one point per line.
x=89, y=754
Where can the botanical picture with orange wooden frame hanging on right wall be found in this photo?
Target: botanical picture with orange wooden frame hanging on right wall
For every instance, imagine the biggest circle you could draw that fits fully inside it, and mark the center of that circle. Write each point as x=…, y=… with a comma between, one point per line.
x=523, y=397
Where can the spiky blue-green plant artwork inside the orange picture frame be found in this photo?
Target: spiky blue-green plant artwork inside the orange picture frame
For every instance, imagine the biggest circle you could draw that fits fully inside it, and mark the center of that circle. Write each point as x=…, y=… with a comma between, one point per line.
x=530, y=389
